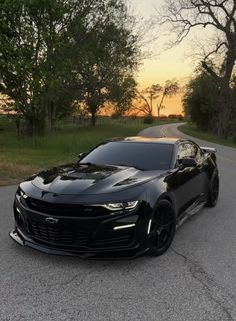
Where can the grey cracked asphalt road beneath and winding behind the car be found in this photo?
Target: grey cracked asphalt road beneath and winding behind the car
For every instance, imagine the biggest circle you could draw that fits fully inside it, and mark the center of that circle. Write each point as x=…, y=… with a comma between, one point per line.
x=194, y=281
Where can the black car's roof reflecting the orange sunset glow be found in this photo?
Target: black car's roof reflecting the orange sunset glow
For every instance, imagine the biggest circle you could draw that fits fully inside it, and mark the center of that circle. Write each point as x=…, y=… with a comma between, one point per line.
x=142, y=139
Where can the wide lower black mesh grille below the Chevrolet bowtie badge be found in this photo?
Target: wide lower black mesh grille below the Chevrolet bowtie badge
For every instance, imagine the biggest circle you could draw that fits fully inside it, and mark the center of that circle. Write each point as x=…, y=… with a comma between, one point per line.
x=74, y=238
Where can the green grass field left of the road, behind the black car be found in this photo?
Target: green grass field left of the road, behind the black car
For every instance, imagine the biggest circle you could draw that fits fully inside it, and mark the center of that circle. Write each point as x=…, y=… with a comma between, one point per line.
x=22, y=156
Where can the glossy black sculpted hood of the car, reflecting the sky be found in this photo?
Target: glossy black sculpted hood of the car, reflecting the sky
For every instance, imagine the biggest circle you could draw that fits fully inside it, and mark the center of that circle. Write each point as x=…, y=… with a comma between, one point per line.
x=80, y=179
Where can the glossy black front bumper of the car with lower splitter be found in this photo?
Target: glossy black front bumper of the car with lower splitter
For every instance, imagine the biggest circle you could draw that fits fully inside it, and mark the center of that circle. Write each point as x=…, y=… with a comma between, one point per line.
x=81, y=236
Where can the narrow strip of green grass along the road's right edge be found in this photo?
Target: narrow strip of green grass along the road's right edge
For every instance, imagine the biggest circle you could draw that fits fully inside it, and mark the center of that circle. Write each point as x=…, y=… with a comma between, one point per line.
x=192, y=130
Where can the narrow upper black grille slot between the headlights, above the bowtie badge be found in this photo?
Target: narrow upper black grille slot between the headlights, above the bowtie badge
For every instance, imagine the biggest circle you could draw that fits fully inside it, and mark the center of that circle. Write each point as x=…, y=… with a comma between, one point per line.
x=65, y=209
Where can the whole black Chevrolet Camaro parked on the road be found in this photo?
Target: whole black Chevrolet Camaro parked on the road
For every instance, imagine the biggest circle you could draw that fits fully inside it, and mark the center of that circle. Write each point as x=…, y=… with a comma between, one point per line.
x=125, y=197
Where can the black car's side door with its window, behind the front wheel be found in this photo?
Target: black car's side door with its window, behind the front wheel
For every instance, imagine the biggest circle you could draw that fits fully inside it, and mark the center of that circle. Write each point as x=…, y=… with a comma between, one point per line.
x=187, y=183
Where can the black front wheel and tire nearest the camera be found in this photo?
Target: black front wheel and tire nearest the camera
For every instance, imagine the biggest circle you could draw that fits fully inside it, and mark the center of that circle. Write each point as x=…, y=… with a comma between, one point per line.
x=163, y=228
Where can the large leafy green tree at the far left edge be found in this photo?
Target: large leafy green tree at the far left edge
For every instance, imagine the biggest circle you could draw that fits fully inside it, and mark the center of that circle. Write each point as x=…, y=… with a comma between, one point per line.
x=35, y=64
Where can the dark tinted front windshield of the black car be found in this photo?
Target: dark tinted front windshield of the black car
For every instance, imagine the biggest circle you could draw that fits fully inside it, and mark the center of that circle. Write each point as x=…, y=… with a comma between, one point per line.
x=148, y=156
